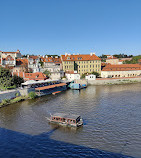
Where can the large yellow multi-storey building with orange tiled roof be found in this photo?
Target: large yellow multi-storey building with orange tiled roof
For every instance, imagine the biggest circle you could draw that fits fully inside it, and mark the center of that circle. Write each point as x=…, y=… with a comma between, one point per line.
x=83, y=63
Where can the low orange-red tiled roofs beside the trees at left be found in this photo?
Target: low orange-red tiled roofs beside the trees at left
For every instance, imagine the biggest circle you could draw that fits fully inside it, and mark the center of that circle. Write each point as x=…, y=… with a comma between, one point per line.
x=31, y=76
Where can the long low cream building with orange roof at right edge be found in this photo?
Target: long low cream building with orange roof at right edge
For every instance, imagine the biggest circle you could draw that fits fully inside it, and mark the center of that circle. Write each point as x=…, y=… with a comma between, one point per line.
x=123, y=70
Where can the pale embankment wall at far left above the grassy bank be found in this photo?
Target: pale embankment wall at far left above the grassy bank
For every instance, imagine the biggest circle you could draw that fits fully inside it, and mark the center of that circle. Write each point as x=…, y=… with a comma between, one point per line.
x=8, y=94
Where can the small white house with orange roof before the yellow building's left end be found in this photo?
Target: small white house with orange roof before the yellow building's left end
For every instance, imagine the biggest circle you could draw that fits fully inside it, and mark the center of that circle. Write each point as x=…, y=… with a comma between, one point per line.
x=72, y=75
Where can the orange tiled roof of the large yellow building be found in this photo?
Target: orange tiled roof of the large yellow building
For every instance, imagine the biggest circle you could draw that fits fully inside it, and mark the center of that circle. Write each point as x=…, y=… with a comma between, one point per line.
x=81, y=57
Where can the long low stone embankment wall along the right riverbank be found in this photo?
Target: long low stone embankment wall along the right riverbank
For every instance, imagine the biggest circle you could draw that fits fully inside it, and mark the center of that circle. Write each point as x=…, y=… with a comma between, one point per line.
x=109, y=81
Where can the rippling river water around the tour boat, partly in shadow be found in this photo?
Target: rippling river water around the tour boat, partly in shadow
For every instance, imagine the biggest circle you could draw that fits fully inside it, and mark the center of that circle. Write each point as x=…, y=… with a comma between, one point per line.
x=112, y=124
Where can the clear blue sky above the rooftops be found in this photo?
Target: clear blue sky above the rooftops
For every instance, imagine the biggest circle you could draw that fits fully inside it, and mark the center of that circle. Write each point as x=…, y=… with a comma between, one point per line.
x=72, y=26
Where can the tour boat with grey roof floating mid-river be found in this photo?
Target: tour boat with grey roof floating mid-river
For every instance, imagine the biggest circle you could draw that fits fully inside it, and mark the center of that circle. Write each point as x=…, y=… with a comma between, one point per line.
x=66, y=119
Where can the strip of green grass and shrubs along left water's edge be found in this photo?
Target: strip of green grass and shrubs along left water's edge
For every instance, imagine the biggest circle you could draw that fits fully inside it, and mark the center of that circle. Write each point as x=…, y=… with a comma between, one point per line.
x=5, y=102
